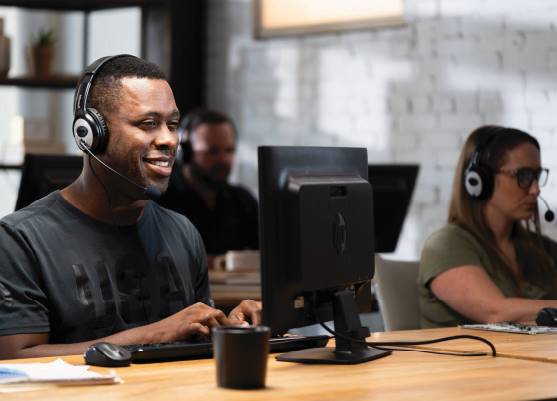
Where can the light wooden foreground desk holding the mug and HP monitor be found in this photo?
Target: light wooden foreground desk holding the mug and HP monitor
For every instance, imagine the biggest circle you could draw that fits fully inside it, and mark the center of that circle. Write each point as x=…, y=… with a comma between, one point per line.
x=401, y=376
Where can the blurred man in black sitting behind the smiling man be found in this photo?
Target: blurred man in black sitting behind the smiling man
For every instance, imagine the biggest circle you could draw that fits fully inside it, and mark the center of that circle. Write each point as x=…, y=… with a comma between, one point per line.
x=224, y=214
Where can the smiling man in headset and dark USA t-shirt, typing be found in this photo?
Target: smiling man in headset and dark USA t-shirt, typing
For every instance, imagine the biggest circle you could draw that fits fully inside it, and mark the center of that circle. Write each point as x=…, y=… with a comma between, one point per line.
x=99, y=260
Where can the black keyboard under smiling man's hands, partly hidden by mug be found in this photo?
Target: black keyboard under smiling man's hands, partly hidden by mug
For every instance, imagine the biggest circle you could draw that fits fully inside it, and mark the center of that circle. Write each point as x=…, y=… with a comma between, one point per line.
x=181, y=350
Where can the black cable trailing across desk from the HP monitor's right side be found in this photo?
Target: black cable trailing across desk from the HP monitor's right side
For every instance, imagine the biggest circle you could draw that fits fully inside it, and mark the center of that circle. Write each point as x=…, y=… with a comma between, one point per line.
x=376, y=344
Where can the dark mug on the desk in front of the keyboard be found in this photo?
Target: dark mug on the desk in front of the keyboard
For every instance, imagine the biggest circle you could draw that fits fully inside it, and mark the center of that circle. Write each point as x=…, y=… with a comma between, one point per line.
x=241, y=355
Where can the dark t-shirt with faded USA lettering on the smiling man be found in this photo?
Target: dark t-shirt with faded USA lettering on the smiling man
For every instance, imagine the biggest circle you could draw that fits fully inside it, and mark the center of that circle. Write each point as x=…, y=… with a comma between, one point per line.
x=65, y=273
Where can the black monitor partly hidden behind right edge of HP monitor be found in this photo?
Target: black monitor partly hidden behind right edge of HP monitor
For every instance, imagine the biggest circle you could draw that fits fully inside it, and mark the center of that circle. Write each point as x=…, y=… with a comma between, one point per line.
x=393, y=185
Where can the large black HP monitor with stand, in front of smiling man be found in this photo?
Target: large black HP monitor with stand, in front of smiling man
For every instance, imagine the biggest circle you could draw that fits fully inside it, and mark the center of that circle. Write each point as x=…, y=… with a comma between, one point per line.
x=316, y=238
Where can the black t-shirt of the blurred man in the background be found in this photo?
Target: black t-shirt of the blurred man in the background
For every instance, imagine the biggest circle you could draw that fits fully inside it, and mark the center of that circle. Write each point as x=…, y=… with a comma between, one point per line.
x=230, y=225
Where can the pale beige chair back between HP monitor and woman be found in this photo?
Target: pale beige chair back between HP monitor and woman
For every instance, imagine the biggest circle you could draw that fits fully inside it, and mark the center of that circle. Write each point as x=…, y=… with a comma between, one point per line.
x=397, y=293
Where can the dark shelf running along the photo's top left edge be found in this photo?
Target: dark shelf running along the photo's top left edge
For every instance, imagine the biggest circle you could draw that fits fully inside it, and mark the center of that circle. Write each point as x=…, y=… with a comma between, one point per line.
x=79, y=5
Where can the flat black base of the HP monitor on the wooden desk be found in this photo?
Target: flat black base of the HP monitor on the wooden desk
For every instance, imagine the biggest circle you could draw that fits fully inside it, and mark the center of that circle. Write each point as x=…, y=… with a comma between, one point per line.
x=328, y=355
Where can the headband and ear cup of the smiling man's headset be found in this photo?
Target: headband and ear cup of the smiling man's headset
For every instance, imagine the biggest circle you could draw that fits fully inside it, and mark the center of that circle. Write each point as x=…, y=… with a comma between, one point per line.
x=89, y=127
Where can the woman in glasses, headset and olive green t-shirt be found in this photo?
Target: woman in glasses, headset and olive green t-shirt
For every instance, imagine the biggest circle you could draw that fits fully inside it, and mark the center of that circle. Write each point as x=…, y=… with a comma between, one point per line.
x=490, y=263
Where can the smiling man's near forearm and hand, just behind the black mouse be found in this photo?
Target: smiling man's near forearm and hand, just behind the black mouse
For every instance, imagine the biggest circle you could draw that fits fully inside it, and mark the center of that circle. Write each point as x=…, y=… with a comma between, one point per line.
x=197, y=319
